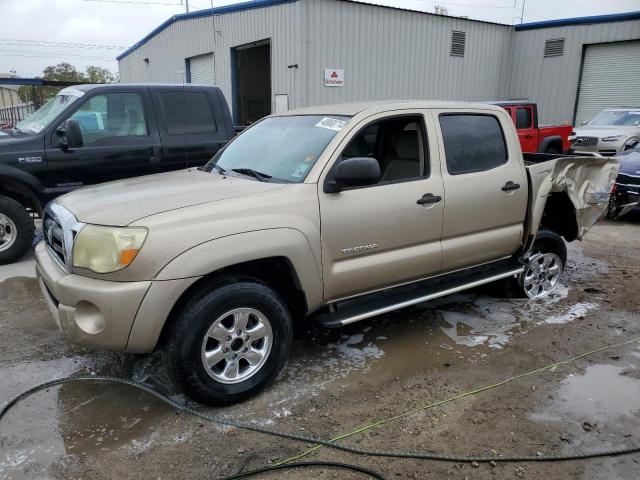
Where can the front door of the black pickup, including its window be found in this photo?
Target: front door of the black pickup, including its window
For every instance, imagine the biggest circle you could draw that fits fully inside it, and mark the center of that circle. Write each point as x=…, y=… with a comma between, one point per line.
x=120, y=140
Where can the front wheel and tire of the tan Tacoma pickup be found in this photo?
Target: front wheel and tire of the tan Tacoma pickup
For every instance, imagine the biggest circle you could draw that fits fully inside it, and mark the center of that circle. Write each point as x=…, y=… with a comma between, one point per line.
x=210, y=324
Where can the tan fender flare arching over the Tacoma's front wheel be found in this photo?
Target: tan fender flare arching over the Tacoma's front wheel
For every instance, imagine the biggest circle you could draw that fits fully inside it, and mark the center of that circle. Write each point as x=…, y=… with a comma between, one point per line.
x=239, y=248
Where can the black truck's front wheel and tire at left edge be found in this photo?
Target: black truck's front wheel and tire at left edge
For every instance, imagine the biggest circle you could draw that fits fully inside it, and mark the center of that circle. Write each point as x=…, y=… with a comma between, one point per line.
x=16, y=230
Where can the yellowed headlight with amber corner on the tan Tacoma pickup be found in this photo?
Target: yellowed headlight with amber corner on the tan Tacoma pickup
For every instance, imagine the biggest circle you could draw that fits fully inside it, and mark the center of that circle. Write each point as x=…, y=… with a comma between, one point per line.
x=107, y=249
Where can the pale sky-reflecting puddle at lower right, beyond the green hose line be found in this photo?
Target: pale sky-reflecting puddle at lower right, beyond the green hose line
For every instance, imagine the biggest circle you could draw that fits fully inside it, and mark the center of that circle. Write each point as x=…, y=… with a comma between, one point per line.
x=601, y=393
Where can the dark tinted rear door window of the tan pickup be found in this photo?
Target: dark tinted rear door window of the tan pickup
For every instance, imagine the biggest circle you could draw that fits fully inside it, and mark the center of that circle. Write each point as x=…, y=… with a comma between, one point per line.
x=472, y=143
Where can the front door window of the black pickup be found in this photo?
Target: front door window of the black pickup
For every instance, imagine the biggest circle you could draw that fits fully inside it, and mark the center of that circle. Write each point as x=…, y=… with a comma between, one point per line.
x=111, y=115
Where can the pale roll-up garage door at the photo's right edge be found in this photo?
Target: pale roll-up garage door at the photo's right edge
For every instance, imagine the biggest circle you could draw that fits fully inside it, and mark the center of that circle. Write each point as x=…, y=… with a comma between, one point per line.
x=610, y=74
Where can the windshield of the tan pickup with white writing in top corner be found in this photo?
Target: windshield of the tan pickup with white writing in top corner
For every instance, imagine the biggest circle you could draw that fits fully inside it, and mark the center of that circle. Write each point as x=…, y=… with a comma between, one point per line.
x=279, y=149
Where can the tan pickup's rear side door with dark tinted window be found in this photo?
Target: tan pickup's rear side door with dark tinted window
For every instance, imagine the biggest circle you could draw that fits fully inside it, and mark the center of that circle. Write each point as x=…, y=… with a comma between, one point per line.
x=486, y=187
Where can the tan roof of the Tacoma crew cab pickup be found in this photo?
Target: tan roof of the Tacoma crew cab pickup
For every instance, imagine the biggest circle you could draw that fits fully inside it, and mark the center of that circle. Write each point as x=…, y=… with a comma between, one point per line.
x=351, y=109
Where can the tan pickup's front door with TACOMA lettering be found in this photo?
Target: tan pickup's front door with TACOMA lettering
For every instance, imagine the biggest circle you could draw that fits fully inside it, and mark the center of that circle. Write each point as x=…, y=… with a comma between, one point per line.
x=379, y=236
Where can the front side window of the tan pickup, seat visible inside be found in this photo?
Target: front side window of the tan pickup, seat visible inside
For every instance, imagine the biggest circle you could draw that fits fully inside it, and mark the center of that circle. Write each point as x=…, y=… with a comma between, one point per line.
x=396, y=143
